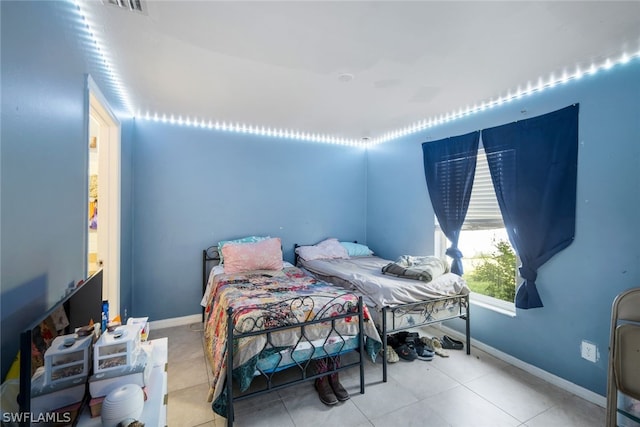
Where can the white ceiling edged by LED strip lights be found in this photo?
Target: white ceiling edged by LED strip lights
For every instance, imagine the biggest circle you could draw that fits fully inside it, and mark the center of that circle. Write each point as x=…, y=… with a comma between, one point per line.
x=350, y=69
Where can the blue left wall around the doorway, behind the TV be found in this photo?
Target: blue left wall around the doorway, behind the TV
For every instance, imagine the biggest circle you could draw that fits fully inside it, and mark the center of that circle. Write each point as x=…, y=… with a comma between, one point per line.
x=43, y=164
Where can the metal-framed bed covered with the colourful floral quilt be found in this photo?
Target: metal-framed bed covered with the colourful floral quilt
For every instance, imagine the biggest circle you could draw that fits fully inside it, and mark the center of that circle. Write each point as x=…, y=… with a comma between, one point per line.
x=265, y=328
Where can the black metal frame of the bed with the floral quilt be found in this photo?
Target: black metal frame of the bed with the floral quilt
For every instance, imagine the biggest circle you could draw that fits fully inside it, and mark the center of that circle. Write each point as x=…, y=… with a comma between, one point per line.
x=274, y=323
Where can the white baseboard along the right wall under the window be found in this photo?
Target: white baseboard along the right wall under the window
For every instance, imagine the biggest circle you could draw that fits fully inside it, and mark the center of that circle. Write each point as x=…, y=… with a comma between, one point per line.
x=573, y=388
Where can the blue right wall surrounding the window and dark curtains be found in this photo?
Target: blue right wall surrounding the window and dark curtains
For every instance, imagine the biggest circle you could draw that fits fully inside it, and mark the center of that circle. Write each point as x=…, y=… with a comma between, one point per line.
x=579, y=284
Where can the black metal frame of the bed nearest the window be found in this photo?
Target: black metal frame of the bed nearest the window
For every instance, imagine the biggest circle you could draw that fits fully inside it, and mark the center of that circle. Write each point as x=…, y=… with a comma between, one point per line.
x=426, y=308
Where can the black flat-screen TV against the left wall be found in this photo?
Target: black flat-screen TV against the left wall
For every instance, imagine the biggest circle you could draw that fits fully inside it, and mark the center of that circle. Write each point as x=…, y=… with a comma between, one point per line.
x=81, y=306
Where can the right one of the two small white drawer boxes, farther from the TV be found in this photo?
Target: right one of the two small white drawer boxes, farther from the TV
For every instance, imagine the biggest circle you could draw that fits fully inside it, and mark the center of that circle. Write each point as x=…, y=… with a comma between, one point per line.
x=117, y=348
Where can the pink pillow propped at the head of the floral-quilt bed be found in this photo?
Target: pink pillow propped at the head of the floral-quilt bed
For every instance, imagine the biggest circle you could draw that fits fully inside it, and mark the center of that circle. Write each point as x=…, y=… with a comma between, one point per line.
x=264, y=255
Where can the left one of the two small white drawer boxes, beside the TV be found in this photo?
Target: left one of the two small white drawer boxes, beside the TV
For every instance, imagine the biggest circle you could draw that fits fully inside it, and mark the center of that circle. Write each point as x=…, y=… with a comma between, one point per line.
x=67, y=358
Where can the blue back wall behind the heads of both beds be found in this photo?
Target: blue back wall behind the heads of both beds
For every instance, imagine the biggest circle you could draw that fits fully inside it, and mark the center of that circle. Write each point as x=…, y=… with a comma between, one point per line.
x=193, y=187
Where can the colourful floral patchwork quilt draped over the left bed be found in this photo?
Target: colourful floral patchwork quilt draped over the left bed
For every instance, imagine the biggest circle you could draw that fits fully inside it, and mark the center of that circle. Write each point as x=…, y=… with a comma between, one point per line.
x=263, y=300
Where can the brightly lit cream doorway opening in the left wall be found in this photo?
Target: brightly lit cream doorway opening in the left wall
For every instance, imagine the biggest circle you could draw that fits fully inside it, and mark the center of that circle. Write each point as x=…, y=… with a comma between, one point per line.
x=103, y=172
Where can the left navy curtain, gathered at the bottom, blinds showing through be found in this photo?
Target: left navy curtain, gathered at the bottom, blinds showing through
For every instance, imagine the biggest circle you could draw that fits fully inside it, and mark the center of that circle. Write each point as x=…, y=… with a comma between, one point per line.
x=449, y=168
